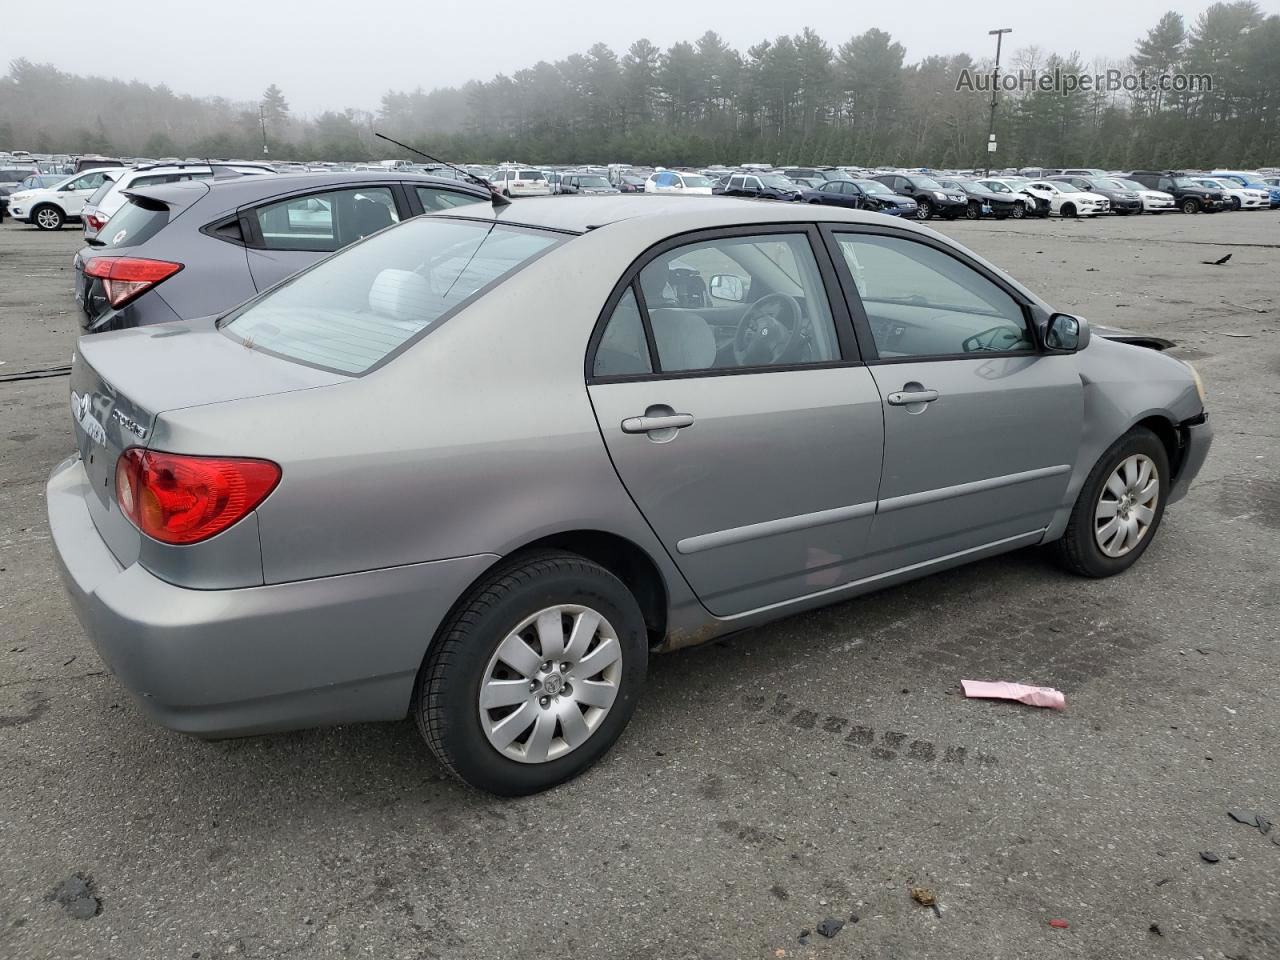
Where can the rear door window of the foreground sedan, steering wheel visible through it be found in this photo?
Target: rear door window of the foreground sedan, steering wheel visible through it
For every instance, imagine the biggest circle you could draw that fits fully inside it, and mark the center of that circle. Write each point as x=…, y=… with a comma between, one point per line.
x=738, y=303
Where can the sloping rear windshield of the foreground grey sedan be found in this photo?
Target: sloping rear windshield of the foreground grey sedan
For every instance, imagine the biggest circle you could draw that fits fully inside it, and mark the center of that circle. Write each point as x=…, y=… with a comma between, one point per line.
x=359, y=308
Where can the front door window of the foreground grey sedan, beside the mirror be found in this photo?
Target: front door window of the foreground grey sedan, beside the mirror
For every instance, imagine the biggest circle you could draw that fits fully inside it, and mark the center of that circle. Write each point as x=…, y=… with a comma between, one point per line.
x=922, y=303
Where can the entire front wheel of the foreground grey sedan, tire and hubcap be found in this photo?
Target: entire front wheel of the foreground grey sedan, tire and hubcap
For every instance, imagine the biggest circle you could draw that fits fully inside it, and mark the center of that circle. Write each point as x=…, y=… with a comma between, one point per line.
x=1119, y=509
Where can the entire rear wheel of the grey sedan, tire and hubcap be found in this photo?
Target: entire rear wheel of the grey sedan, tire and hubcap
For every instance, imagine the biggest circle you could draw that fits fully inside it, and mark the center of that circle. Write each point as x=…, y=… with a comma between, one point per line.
x=534, y=676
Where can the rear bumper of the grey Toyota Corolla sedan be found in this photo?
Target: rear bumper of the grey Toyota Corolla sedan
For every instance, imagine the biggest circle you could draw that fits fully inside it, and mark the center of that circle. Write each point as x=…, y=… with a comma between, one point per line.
x=234, y=662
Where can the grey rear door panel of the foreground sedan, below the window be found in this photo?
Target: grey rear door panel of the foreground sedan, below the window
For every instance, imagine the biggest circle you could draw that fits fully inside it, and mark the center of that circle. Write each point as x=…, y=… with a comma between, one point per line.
x=770, y=493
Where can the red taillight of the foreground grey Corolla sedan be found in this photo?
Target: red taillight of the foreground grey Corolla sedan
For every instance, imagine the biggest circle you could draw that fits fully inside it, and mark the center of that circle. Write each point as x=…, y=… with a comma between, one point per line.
x=182, y=500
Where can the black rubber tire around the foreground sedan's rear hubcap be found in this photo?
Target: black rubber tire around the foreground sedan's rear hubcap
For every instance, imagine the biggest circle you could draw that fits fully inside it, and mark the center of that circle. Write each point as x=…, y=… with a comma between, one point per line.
x=446, y=702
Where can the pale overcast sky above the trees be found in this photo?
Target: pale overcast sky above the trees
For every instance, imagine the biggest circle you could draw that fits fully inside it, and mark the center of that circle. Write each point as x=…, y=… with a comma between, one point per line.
x=332, y=54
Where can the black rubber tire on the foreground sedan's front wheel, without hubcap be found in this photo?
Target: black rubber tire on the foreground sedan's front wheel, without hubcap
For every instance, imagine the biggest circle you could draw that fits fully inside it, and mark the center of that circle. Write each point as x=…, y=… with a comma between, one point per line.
x=1078, y=551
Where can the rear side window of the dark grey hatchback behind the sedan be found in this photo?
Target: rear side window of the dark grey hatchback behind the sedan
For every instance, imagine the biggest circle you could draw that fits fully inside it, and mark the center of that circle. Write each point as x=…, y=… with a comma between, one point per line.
x=326, y=222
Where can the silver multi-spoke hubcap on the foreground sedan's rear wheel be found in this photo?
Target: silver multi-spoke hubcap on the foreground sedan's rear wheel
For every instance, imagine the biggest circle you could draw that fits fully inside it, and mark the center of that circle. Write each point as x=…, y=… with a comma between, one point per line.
x=551, y=684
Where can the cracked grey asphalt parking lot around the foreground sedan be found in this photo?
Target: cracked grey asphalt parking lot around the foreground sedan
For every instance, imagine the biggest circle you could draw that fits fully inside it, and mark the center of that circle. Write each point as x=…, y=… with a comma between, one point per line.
x=816, y=769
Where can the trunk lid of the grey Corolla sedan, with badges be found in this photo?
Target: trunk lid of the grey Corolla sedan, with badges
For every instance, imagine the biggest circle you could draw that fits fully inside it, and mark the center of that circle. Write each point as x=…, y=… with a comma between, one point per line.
x=124, y=382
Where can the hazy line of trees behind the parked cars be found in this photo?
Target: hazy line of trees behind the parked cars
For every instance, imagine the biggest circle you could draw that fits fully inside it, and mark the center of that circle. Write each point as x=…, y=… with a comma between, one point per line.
x=790, y=100
